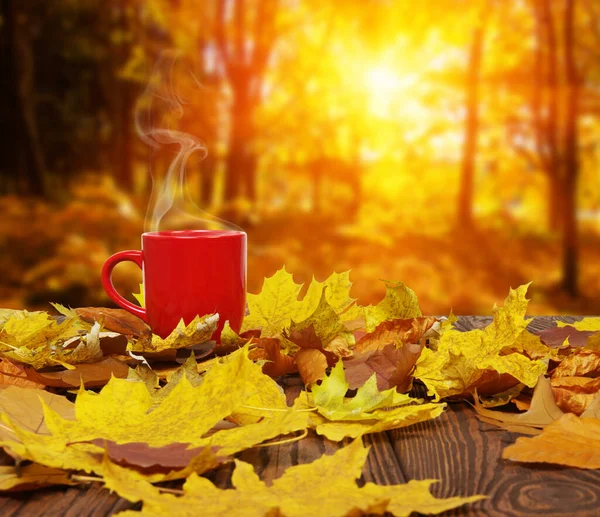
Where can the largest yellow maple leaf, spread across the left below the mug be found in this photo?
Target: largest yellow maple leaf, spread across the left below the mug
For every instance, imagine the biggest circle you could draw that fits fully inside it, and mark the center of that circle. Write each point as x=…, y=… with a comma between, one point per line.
x=123, y=415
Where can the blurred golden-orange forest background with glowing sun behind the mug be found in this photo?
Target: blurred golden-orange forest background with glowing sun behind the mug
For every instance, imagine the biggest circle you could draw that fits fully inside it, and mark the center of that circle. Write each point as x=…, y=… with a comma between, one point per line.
x=450, y=144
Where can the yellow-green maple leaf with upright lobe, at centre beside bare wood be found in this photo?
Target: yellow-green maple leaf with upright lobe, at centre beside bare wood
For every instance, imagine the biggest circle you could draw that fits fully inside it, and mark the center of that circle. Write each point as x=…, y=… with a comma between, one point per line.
x=369, y=411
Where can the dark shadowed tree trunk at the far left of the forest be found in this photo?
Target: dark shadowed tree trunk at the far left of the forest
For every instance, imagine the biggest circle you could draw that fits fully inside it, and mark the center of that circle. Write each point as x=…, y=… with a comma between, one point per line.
x=28, y=152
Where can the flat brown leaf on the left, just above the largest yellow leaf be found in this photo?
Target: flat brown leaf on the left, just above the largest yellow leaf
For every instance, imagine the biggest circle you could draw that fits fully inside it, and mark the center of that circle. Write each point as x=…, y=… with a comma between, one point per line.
x=91, y=374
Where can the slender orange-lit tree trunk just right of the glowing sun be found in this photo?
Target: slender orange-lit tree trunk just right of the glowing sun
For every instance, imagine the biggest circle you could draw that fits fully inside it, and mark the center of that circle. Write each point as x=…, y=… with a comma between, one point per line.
x=465, y=198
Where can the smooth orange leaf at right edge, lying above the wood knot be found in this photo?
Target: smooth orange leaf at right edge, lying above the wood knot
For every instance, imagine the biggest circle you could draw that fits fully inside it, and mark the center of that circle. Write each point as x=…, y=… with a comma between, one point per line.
x=570, y=441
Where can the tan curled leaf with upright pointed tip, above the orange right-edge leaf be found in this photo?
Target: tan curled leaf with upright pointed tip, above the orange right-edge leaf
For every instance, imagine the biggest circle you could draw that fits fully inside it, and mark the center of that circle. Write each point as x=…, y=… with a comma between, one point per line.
x=542, y=412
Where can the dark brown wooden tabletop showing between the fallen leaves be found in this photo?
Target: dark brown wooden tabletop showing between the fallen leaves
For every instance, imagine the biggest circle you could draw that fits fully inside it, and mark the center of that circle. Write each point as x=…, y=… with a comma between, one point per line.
x=456, y=448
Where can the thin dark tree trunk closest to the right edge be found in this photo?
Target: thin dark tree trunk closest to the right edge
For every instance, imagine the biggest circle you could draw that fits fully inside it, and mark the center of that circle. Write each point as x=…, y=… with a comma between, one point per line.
x=570, y=242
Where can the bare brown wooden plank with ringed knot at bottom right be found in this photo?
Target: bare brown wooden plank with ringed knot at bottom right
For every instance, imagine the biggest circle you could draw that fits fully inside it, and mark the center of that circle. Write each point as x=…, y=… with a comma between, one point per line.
x=465, y=455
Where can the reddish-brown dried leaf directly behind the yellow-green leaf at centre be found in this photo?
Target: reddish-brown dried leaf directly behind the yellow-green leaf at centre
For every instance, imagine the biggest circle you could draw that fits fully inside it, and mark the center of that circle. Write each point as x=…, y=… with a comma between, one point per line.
x=393, y=366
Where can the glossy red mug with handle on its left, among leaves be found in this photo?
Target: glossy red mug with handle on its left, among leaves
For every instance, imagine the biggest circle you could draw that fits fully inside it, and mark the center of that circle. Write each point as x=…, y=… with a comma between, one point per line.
x=186, y=273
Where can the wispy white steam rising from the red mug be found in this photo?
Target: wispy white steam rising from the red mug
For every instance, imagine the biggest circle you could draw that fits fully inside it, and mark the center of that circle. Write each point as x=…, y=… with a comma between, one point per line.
x=170, y=206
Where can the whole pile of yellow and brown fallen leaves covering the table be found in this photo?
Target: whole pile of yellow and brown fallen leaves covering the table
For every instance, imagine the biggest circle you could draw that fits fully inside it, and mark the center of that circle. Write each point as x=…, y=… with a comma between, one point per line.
x=91, y=394
